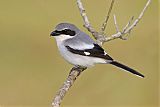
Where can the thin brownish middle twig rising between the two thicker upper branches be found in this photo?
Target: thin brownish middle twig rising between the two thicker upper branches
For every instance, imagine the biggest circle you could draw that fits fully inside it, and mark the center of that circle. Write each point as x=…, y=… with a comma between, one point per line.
x=104, y=25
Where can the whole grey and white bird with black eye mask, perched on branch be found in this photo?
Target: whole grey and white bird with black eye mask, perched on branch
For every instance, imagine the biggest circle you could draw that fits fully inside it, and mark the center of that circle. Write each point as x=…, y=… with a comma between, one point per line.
x=80, y=50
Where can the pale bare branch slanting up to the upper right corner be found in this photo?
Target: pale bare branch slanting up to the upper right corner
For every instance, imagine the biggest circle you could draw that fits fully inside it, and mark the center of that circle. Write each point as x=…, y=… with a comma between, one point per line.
x=128, y=28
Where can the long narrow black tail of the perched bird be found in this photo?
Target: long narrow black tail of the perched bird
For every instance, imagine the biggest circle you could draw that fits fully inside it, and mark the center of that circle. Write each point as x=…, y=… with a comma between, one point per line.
x=126, y=68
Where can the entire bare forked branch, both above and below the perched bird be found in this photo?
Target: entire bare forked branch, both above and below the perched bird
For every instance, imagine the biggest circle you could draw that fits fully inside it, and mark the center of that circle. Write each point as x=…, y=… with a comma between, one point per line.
x=100, y=38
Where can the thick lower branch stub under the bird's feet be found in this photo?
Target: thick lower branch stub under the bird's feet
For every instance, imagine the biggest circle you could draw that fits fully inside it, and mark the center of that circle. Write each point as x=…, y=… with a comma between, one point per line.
x=74, y=73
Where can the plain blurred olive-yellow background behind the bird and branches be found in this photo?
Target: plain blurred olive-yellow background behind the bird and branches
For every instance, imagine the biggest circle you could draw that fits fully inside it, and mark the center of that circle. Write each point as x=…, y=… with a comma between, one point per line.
x=32, y=70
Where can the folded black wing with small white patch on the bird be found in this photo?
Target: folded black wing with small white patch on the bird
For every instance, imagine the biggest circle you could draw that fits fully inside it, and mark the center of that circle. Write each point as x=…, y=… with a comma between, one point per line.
x=96, y=51
